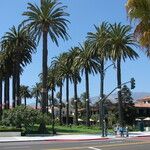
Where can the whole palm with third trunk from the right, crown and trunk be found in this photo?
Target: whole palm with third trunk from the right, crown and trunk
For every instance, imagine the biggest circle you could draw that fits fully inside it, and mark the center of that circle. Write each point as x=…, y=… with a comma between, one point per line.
x=87, y=65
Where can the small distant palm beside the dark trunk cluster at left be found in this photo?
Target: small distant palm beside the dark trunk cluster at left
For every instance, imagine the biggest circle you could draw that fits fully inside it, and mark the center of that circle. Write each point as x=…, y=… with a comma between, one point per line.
x=25, y=93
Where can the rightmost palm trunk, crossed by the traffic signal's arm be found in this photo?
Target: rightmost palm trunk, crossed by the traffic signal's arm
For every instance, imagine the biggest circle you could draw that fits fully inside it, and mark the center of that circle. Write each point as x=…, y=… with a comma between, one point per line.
x=119, y=92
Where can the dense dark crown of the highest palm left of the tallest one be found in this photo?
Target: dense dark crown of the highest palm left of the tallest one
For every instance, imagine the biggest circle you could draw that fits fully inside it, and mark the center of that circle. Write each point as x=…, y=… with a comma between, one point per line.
x=20, y=44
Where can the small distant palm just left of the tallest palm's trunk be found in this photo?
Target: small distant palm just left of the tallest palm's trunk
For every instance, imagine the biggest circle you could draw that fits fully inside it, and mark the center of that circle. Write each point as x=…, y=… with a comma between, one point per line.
x=36, y=93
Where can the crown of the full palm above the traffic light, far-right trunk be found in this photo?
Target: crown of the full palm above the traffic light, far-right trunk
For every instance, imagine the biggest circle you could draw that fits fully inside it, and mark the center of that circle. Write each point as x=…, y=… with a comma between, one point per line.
x=121, y=42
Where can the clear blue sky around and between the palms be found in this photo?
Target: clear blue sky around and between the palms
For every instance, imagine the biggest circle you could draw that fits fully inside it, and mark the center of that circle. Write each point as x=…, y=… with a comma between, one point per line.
x=83, y=15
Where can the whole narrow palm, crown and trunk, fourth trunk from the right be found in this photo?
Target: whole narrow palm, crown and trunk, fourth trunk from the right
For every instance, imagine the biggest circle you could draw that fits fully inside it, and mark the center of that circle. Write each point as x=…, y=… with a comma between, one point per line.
x=74, y=52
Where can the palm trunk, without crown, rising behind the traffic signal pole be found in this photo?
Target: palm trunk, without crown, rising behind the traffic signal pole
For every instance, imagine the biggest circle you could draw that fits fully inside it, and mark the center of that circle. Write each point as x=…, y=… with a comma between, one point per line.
x=101, y=110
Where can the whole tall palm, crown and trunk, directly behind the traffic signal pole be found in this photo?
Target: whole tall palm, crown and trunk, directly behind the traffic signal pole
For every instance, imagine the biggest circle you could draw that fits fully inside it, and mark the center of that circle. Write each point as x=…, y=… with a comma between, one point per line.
x=99, y=51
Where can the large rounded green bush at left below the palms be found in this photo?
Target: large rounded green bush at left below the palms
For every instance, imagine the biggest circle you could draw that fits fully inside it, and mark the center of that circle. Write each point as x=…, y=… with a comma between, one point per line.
x=25, y=117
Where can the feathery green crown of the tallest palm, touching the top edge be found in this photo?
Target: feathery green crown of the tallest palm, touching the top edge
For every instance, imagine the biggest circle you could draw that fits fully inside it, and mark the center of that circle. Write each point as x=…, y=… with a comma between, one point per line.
x=50, y=17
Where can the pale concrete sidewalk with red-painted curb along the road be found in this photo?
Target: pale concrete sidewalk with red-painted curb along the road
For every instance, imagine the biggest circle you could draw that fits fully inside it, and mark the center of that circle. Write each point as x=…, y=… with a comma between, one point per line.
x=74, y=137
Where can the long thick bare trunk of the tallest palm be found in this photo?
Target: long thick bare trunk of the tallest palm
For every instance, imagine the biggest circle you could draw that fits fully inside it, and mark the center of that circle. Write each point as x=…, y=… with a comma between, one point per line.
x=44, y=67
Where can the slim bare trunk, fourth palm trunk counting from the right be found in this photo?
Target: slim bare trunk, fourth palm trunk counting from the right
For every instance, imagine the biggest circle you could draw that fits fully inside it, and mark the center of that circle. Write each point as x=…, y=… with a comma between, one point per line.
x=76, y=101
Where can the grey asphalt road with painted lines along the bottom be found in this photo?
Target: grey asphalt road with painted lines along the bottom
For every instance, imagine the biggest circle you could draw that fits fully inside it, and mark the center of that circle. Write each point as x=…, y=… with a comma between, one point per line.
x=136, y=144
